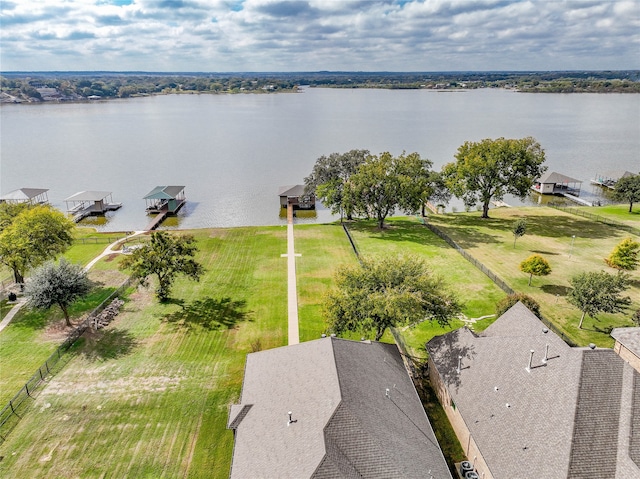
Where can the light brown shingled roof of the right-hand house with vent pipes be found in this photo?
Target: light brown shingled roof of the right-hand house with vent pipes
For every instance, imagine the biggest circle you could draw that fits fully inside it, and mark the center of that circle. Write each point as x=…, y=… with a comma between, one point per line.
x=567, y=418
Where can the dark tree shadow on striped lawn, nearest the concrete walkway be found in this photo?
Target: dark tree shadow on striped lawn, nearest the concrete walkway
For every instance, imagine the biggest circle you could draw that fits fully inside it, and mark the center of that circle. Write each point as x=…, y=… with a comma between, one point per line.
x=209, y=313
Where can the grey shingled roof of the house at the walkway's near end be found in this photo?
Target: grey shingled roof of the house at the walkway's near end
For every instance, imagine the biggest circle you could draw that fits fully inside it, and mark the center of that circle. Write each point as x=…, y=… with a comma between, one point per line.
x=344, y=425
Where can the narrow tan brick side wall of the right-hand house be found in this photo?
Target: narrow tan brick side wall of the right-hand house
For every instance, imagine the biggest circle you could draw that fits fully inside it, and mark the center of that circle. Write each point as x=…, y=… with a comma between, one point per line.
x=459, y=426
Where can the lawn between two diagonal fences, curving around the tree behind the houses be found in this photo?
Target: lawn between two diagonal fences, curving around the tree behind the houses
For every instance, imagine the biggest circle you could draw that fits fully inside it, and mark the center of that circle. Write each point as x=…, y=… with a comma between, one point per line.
x=408, y=236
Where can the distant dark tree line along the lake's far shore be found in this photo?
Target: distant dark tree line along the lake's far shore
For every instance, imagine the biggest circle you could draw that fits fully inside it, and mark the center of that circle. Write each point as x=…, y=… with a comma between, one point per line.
x=25, y=86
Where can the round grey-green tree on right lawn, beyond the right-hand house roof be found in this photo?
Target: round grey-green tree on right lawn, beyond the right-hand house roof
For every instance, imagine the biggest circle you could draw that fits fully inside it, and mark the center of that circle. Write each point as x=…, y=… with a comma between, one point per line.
x=596, y=292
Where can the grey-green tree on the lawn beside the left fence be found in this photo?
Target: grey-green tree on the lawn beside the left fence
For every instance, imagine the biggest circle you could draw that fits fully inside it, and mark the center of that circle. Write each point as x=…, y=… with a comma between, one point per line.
x=61, y=285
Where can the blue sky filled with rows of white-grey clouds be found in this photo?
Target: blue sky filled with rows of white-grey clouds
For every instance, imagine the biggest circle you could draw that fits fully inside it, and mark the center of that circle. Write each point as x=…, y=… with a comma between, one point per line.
x=298, y=35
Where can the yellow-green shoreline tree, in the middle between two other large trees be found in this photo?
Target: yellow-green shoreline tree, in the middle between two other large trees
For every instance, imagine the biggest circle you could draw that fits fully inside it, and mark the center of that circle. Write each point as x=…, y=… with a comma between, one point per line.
x=384, y=183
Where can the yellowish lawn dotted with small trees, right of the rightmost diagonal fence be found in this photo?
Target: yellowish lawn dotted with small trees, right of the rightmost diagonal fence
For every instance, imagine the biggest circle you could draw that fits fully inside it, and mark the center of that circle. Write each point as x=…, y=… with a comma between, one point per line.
x=550, y=234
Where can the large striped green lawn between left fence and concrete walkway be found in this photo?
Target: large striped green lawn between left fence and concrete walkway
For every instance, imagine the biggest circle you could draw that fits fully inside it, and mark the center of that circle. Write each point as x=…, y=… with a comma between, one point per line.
x=147, y=397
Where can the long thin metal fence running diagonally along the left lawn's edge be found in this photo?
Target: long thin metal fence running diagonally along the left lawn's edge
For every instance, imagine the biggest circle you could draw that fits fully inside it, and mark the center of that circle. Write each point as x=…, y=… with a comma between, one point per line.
x=19, y=404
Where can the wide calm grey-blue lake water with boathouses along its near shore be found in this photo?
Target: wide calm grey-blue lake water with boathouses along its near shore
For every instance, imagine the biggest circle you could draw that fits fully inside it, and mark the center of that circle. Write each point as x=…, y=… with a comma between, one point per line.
x=232, y=152
